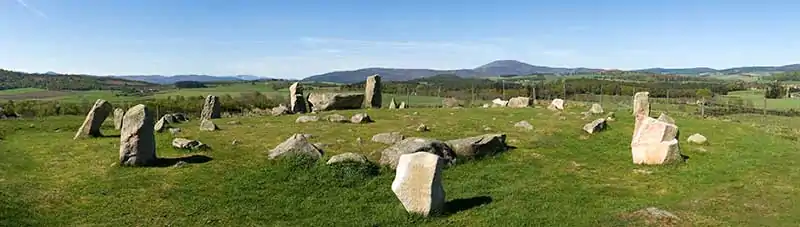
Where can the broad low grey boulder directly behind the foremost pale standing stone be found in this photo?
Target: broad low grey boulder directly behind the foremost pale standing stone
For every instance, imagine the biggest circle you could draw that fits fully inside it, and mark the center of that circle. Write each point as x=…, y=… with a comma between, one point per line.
x=391, y=155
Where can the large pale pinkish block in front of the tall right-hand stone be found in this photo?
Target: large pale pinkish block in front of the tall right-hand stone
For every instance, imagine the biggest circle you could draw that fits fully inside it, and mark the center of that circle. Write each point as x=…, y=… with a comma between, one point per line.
x=654, y=142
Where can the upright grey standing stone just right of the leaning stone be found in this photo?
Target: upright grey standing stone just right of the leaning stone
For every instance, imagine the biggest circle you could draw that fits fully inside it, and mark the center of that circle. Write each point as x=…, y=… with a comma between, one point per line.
x=137, y=140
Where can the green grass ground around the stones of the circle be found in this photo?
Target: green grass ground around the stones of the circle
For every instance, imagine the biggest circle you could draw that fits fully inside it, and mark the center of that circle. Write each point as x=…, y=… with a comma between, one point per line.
x=557, y=175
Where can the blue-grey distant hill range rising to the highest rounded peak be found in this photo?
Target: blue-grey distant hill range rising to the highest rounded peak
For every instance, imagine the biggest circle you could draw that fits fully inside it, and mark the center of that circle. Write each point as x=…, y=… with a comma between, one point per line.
x=495, y=68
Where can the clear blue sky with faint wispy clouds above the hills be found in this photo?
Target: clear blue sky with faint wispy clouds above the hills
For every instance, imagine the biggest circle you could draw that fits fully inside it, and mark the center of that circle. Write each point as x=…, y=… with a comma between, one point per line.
x=295, y=39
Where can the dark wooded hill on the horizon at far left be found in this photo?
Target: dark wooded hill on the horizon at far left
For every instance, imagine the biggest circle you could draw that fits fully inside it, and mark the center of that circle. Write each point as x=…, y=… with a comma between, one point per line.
x=53, y=81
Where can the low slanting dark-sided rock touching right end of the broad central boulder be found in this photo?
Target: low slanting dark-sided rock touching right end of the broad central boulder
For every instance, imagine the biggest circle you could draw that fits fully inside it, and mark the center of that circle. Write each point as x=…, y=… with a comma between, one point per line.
x=479, y=146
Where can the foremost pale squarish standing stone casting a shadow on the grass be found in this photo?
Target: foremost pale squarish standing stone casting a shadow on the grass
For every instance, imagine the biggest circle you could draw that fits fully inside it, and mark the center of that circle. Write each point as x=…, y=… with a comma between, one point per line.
x=418, y=183
